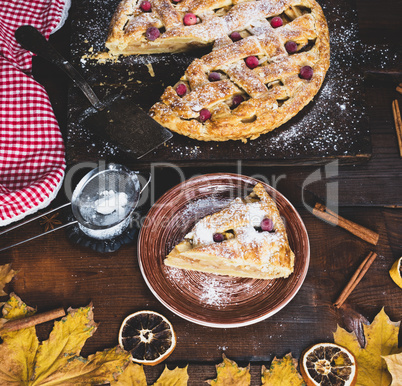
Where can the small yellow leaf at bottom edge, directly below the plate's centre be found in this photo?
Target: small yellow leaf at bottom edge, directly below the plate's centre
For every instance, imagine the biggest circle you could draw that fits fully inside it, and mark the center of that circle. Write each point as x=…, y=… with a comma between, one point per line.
x=229, y=373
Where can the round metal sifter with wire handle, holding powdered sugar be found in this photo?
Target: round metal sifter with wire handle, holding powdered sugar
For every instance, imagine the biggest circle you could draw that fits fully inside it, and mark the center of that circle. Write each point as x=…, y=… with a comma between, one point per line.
x=102, y=203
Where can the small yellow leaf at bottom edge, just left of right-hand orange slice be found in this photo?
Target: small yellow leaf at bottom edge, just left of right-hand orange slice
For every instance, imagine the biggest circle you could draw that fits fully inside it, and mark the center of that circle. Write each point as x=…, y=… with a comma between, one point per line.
x=282, y=372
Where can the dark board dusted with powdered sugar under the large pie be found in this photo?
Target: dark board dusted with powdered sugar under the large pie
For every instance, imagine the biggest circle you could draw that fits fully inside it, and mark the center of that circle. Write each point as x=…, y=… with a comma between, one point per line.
x=333, y=125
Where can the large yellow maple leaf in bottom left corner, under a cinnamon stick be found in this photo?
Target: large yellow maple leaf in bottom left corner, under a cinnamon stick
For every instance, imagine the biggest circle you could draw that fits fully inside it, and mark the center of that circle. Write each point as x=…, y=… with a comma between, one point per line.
x=56, y=361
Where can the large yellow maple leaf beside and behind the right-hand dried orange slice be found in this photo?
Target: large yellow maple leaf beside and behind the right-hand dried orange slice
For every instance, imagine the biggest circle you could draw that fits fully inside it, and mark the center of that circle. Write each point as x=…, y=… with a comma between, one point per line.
x=381, y=339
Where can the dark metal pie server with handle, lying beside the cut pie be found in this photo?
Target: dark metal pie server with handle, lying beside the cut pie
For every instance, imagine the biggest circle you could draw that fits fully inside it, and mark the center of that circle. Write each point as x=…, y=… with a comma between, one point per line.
x=117, y=119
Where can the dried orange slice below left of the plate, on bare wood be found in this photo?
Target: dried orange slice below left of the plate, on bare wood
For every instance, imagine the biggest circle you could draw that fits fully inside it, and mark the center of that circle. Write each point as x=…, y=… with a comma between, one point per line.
x=148, y=336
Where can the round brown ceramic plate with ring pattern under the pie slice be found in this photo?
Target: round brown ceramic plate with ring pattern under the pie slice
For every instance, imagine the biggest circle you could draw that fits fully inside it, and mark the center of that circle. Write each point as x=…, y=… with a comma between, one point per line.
x=207, y=299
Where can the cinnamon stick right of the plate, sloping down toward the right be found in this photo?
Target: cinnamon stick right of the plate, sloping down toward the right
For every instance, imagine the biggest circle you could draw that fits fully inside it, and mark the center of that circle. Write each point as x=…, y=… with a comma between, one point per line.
x=326, y=214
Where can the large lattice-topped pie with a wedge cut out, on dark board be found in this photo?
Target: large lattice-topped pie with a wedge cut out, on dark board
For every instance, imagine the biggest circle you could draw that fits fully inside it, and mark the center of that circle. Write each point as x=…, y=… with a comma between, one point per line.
x=270, y=94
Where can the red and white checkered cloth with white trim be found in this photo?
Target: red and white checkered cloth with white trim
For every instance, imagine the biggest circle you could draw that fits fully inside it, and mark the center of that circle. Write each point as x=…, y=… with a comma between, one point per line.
x=31, y=147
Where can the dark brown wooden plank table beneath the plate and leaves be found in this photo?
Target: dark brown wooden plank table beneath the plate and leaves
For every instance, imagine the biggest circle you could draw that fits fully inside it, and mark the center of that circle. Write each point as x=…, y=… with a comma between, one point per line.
x=54, y=272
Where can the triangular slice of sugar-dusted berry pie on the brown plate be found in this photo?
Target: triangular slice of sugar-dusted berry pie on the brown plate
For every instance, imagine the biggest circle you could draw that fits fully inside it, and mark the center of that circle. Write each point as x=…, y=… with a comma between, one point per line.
x=245, y=239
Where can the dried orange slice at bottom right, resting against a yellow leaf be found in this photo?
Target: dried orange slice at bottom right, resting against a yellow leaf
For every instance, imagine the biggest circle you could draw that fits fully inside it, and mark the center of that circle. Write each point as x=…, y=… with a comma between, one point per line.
x=328, y=364
